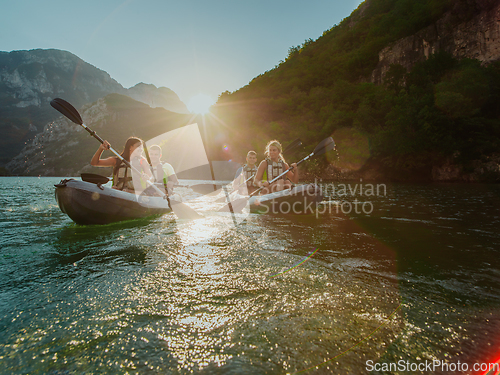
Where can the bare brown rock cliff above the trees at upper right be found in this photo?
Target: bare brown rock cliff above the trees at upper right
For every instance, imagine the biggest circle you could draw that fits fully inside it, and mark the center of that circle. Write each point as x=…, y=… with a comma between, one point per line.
x=475, y=38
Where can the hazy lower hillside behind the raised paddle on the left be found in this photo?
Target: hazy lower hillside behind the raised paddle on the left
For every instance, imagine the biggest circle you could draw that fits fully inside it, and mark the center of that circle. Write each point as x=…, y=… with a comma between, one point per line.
x=63, y=148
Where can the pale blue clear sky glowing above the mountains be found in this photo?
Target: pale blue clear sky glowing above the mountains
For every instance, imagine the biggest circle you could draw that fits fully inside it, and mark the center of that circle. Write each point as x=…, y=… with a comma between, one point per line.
x=194, y=47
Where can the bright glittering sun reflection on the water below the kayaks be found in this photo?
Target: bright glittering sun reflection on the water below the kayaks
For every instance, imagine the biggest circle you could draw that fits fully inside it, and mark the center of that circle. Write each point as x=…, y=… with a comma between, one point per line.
x=178, y=297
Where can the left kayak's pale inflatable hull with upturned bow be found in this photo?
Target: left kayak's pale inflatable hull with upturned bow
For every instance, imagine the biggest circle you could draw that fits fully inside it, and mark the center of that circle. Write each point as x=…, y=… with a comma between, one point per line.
x=90, y=203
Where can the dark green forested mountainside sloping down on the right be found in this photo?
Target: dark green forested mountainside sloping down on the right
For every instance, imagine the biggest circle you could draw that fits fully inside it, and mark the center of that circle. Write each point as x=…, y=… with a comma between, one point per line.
x=443, y=109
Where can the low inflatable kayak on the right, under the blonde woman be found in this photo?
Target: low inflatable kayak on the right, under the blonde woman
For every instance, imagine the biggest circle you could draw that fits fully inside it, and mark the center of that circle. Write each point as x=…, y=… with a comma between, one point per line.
x=298, y=200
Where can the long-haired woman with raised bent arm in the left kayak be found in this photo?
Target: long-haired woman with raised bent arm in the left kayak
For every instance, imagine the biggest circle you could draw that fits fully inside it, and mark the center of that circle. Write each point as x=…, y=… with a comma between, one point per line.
x=125, y=178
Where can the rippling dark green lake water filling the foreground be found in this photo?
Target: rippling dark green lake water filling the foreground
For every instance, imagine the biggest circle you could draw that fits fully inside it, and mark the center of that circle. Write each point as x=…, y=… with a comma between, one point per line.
x=417, y=279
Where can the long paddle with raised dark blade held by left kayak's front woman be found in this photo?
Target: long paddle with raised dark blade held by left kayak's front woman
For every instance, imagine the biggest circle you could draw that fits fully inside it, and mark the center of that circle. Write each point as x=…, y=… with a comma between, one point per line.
x=61, y=105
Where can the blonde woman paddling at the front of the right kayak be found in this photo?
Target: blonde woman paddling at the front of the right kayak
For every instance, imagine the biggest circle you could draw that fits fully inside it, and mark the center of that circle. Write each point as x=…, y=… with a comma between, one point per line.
x=271, y=167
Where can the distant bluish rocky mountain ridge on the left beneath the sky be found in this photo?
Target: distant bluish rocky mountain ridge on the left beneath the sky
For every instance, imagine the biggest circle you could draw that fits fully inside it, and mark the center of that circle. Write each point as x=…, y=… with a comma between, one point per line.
x=30, y=79
